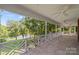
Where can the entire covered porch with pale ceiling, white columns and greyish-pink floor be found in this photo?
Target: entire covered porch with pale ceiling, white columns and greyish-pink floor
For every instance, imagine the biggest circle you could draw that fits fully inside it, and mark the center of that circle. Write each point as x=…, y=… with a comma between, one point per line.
x=65, y=39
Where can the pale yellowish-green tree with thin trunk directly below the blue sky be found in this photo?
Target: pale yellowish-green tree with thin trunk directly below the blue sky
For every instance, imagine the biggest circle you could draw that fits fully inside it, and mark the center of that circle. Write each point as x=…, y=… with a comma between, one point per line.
x=13, y=28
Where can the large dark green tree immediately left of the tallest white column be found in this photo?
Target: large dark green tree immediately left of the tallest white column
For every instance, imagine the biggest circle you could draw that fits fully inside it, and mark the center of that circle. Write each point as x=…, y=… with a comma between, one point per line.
x=34, y=26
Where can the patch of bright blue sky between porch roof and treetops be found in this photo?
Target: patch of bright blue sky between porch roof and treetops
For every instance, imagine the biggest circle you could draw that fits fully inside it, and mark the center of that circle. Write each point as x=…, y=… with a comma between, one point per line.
x=5, y=16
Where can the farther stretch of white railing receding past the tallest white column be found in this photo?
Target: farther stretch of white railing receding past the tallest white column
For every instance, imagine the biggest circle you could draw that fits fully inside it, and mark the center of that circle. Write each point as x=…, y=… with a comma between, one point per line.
x=50, y=36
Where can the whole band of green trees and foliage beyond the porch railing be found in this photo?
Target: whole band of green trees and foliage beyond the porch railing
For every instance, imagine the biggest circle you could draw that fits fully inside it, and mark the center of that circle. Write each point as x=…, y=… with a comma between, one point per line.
x=26, y=26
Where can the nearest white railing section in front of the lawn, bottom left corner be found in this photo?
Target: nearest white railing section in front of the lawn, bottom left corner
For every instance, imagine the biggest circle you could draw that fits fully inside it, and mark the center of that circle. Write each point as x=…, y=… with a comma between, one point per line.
x=7, y=50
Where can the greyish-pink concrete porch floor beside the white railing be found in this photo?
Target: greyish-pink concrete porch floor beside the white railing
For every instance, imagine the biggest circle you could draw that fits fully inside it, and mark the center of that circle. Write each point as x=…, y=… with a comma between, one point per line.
x=63, y=45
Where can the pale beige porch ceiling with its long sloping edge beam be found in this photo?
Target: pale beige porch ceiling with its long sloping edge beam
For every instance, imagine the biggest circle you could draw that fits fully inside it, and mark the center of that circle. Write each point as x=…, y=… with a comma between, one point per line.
x=65, y=15
